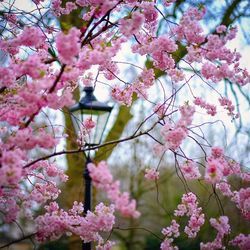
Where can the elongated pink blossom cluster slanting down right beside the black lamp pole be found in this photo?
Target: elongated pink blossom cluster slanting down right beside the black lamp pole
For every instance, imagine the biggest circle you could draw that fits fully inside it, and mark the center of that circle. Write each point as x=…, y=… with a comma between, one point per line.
x=103, y=180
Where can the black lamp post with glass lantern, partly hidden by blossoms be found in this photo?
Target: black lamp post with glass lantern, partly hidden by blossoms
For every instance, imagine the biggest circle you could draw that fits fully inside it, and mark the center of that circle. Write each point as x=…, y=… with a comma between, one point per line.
x=87, y=107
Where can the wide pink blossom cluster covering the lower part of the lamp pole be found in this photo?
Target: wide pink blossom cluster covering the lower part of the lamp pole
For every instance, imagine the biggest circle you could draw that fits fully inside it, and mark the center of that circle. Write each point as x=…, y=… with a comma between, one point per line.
x=56, y=222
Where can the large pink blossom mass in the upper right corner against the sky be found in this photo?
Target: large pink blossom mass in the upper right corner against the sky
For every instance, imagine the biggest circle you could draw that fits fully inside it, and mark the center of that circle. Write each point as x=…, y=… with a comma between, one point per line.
x=208, y=50
